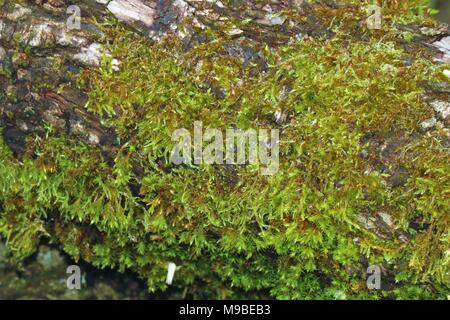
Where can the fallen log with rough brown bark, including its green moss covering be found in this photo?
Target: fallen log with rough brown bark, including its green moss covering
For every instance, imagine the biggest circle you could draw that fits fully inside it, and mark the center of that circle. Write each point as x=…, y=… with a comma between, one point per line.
x=86, y=117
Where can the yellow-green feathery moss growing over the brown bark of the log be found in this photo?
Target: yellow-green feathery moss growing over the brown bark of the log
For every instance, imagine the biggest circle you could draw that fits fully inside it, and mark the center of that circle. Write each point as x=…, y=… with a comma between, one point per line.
x=295, y=235
